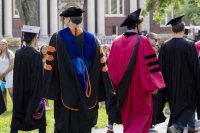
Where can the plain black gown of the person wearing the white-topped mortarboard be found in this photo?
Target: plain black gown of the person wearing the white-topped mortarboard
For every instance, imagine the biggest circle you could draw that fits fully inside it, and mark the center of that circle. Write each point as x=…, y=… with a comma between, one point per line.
x=28, y=89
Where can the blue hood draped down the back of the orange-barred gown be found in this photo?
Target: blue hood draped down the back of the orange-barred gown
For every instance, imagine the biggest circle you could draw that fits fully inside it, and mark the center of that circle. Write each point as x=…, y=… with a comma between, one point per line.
x=81, y=60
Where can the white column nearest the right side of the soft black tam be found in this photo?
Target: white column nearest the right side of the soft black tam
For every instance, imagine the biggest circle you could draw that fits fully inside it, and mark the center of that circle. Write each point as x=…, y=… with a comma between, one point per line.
x=91, y=16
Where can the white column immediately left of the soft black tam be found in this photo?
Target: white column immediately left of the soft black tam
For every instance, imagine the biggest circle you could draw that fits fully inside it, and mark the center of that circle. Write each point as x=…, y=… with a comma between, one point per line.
x=53, y=16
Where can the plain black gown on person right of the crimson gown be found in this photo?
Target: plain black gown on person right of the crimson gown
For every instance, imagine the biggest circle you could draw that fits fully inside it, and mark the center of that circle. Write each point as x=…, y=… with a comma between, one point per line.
x=179, y=65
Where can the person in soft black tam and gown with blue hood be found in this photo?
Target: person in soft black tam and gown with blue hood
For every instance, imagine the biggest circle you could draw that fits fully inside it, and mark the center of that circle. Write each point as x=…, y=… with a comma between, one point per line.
x=76, y=75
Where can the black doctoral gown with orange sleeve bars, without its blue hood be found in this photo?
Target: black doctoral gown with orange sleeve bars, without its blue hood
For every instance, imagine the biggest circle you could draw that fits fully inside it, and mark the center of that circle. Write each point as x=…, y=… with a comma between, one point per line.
x=73, y=111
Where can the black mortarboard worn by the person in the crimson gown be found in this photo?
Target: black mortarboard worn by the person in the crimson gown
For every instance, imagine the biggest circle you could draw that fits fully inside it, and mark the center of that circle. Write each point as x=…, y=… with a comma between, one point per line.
x=132, y=18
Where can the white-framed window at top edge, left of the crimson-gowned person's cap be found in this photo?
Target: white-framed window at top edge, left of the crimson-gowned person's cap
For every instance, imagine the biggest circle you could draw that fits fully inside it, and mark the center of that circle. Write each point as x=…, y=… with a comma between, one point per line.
x=114, y=7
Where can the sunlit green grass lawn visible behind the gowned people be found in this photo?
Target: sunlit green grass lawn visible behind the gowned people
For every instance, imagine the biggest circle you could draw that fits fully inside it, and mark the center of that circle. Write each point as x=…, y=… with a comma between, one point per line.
x=5, y=119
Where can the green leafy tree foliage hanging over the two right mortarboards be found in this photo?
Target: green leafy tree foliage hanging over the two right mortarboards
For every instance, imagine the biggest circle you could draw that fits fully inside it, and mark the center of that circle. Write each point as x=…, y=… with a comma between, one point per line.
x=191, y=9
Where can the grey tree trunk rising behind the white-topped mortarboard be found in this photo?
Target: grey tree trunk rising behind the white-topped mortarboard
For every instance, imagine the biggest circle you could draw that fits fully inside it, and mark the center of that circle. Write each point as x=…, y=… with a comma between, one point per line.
x=29, y=11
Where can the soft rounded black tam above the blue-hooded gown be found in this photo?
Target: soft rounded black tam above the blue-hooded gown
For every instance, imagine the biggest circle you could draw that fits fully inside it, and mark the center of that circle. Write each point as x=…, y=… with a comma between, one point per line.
x=72, y=12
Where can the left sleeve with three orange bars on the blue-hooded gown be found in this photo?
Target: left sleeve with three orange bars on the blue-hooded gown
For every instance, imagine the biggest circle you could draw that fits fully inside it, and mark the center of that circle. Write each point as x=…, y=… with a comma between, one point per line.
x=51, y=76
